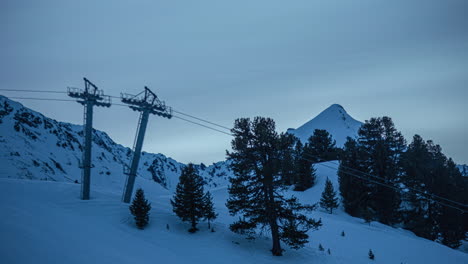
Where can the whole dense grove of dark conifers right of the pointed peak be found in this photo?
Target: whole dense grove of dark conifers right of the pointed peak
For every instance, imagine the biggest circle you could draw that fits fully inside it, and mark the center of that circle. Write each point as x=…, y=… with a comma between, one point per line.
x=400, y=184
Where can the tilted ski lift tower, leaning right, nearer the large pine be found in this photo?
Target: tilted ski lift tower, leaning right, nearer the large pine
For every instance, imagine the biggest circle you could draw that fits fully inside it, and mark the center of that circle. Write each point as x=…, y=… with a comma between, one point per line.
x=146, y=103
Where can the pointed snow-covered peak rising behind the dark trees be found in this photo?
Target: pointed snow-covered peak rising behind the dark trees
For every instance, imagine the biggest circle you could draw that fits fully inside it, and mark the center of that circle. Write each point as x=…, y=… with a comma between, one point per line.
x=335, y=120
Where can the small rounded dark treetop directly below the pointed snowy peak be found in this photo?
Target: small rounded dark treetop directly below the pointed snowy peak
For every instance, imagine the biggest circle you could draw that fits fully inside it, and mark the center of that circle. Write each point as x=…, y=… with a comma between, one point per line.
x=321, y=147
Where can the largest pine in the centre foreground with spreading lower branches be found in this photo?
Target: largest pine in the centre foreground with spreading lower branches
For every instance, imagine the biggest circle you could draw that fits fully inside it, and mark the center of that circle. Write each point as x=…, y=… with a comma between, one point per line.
x=255, y=190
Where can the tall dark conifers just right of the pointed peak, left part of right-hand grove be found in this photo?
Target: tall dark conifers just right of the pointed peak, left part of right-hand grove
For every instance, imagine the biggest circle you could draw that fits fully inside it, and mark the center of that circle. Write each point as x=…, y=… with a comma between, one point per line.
x=378, y=153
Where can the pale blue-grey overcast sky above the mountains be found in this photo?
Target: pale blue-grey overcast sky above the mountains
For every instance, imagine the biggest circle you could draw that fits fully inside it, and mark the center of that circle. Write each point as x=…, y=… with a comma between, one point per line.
x=221, y=60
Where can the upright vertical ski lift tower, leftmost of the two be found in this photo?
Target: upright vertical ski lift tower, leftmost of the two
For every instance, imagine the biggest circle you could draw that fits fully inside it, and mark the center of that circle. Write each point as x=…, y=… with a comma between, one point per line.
x=89, y=97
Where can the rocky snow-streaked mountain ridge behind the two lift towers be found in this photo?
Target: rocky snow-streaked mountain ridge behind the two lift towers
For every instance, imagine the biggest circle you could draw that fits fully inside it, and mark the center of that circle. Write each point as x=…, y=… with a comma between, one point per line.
x=36, y=147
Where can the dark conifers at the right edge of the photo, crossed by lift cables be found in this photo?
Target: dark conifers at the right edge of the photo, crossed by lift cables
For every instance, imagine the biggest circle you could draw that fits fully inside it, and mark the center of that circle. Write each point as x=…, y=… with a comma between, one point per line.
x=427, y=170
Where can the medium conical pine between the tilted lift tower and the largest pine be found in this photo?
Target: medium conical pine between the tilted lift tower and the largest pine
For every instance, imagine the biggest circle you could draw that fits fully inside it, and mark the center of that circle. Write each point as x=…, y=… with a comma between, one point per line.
x=188, y=201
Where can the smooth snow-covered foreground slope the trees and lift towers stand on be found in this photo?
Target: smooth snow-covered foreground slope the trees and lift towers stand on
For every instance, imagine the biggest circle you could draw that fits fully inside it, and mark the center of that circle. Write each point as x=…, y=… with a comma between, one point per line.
x=46, y=222
